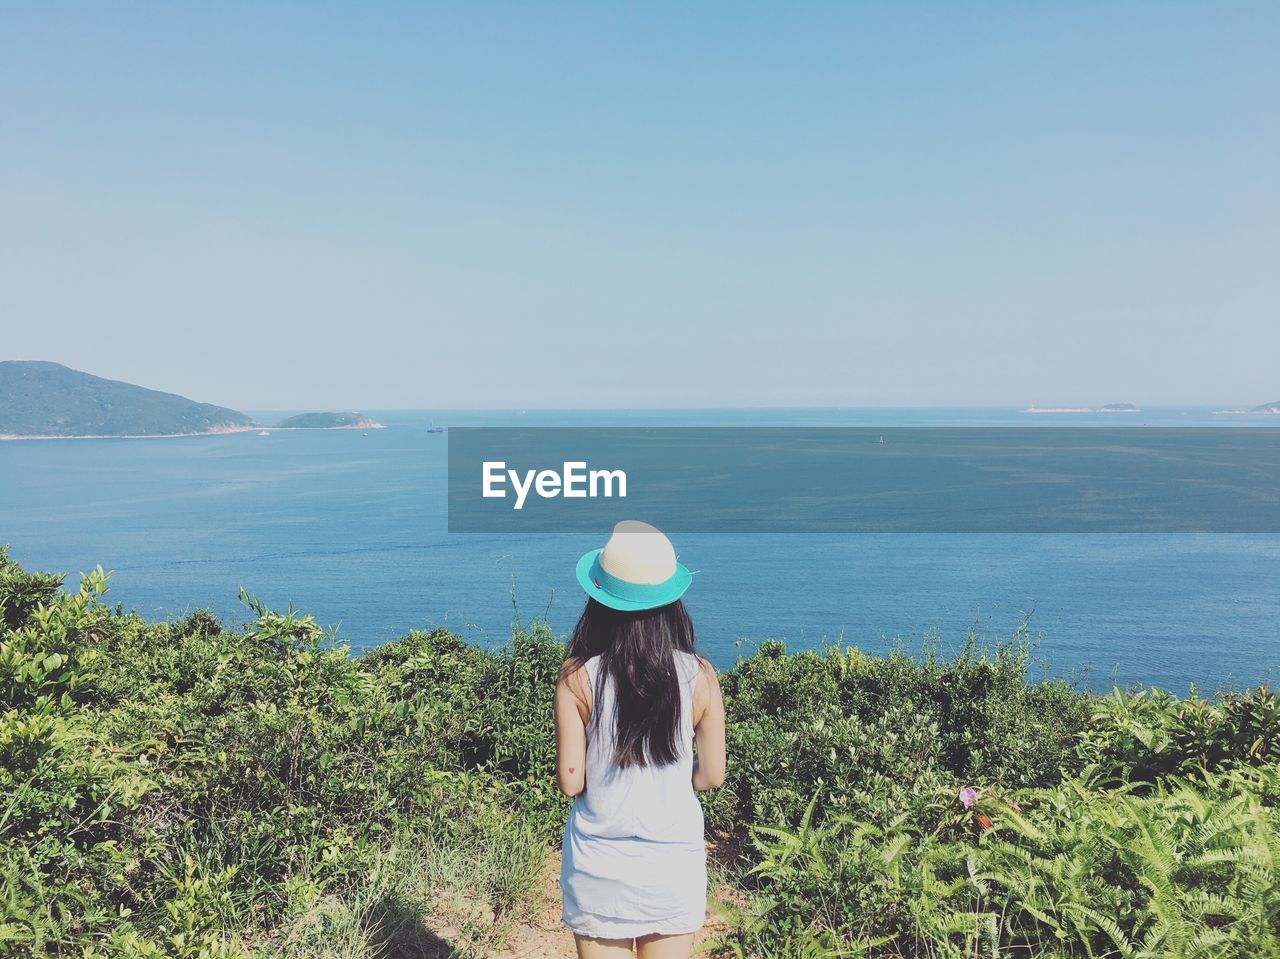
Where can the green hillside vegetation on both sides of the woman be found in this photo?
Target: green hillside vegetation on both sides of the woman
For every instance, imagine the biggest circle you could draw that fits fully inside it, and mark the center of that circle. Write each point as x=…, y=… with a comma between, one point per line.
x=176, y=789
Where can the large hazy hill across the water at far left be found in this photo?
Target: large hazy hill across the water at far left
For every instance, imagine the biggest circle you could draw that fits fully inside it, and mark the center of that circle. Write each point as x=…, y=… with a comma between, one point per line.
x=49, y=400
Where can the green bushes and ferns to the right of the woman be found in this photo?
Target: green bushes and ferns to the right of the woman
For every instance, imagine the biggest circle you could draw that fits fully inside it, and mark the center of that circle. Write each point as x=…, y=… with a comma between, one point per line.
x=1132, y=825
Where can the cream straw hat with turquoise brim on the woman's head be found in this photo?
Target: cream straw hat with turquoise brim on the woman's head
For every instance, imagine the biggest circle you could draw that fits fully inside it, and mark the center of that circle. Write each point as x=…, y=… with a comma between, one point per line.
x=636, y=570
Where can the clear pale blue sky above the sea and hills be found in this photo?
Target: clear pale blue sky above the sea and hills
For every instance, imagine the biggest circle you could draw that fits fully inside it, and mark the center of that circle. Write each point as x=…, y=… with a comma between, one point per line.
x=595, y=205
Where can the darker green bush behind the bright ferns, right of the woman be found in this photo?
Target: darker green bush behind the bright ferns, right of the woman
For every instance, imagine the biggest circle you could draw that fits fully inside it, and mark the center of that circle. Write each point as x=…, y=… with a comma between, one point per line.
x=875, y=737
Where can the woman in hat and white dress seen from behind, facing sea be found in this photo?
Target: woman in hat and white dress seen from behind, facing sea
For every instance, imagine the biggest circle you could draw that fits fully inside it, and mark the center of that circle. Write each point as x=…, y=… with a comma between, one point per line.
x=632, y=701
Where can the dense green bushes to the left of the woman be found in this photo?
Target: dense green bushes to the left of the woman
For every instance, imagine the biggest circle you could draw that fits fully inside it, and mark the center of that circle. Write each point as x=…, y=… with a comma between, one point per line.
x=175, y=789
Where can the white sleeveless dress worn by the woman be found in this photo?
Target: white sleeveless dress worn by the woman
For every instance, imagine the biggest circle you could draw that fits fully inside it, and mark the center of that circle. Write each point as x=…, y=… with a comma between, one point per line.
x=634, y=861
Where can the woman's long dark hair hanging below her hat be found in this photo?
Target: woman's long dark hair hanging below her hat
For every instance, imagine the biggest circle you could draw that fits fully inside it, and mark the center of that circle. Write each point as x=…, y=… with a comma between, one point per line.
x=637, y=651
